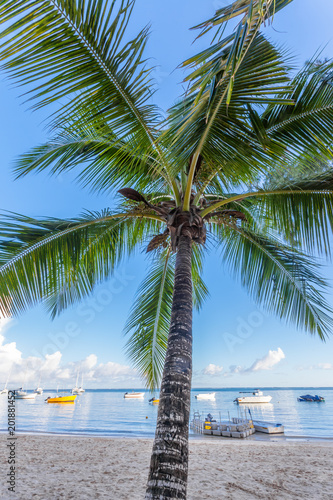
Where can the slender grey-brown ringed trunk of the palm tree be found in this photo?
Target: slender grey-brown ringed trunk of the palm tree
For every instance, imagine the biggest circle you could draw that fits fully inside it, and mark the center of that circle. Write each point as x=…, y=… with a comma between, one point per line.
x=169, y=460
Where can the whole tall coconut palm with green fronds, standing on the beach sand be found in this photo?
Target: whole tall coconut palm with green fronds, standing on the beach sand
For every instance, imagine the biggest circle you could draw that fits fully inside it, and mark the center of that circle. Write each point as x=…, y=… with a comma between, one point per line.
x=199, y=173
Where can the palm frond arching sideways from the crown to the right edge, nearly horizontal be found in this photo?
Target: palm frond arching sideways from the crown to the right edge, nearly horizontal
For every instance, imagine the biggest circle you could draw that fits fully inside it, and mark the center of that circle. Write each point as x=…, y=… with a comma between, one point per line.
x=301, y=211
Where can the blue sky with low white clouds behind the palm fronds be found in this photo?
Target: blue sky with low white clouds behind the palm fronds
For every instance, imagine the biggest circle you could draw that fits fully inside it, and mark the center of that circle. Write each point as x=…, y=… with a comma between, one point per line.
x=236, y=344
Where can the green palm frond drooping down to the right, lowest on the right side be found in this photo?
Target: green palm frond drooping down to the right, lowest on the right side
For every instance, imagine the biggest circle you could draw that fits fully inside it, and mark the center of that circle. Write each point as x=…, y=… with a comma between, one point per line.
x=282, y=280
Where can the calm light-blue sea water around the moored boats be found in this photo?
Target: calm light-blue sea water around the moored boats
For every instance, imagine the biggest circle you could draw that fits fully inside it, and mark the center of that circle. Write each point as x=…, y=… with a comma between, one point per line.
x=107, y=413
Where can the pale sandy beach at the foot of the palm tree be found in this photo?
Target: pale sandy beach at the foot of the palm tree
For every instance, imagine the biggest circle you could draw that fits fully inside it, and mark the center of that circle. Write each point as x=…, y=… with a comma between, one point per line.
x=53, y=468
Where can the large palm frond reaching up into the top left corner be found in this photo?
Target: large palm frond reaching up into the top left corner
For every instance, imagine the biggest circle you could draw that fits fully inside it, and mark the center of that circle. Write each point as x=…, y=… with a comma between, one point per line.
x=63, y=49
